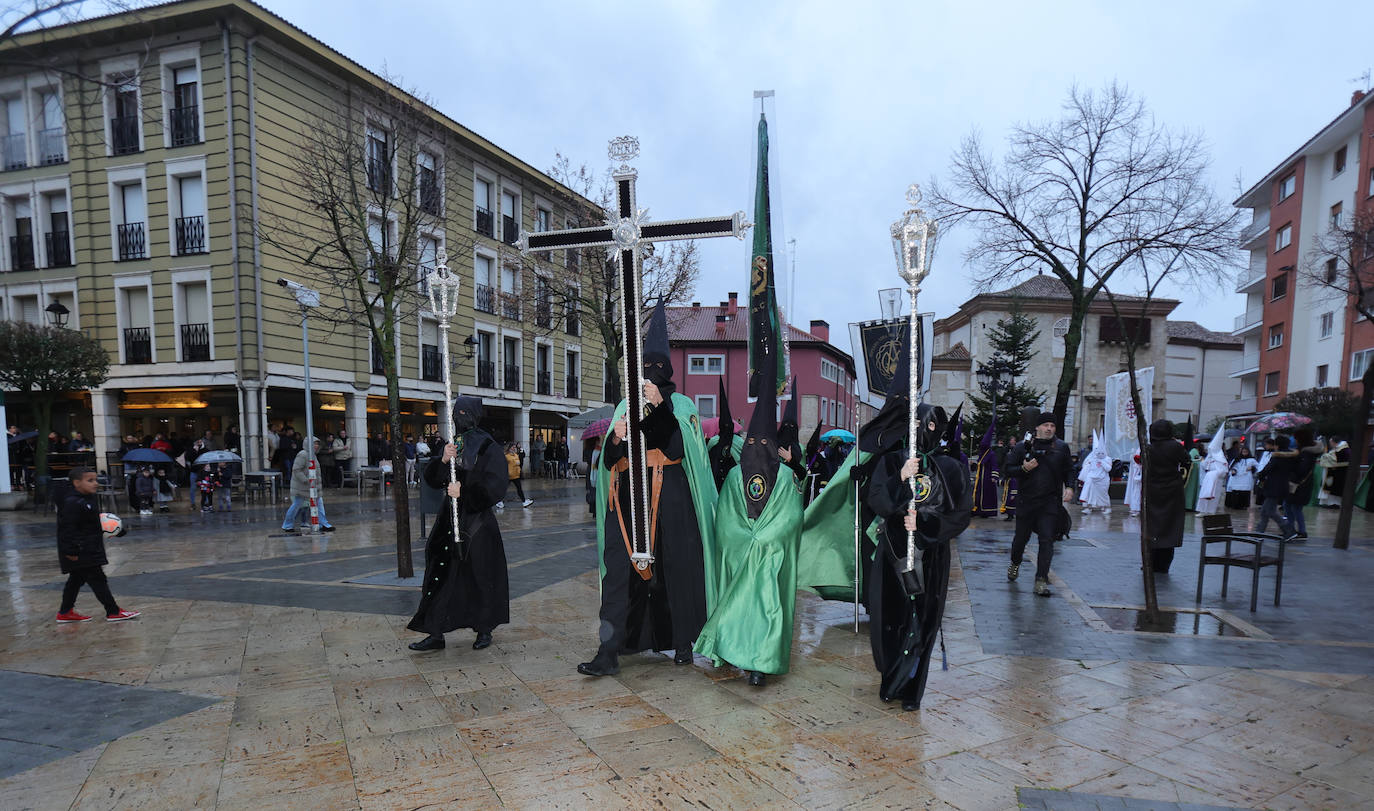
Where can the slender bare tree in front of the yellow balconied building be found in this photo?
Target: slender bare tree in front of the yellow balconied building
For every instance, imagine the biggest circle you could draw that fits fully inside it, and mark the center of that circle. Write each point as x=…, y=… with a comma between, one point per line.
x=365, y=196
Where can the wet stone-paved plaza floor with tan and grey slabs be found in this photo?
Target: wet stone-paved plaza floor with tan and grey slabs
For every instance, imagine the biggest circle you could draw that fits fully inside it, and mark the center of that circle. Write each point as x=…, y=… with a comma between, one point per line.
x=271, y=671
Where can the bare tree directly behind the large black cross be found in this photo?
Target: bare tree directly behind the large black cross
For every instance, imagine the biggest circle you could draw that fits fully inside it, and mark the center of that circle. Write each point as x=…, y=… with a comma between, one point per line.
x=585, y=287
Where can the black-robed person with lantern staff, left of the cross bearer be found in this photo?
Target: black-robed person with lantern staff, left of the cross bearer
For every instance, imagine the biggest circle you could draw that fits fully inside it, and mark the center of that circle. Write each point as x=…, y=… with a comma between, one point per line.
x=465, y=577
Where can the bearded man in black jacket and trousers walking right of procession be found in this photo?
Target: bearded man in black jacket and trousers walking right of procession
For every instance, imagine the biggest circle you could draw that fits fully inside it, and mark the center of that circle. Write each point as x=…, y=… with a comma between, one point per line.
x=1045, y=475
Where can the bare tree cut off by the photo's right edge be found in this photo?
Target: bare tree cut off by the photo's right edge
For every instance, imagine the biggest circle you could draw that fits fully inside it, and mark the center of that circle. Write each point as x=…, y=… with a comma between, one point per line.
x=1344, y=265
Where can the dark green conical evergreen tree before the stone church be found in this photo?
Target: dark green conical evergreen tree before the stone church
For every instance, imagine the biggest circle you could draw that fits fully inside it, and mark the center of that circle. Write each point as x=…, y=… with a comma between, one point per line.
x=1013, y=342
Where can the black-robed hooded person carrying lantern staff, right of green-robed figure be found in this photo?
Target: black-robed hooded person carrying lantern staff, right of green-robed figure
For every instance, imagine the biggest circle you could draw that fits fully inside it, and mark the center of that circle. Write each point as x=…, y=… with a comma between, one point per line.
x=906, y=610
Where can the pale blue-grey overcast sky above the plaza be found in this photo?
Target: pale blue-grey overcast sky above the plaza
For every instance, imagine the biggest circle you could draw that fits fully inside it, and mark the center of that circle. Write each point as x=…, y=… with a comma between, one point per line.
x=870, y=97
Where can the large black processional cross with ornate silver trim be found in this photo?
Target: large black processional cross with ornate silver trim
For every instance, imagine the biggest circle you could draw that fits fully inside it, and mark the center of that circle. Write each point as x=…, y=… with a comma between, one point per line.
x=627, y=232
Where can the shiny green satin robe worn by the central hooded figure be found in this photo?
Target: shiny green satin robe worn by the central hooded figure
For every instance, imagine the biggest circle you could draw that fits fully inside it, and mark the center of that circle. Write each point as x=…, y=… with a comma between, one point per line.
x=751, y=626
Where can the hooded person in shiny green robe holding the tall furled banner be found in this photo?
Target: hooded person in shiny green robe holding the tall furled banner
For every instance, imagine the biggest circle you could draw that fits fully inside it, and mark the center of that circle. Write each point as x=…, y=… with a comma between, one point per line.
x=758, y=537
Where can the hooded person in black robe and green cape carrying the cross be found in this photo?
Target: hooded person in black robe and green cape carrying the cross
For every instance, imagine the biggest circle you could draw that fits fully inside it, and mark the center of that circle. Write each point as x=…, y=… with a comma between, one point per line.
x=666, y=607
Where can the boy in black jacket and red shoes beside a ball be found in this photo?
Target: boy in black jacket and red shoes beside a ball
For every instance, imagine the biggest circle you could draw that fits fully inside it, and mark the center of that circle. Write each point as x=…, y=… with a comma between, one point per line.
x=82, y=551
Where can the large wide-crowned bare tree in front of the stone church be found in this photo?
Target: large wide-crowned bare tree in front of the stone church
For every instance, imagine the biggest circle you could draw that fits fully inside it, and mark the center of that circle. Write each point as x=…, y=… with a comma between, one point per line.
x=1082, y=197
